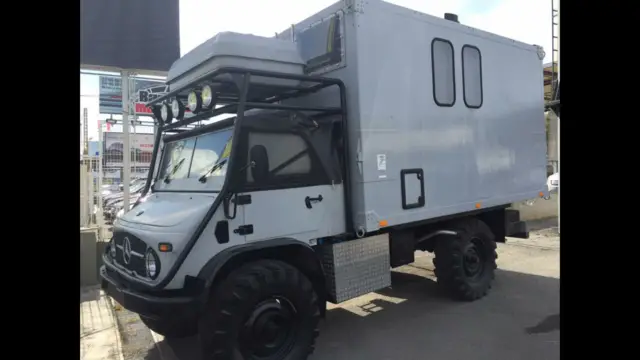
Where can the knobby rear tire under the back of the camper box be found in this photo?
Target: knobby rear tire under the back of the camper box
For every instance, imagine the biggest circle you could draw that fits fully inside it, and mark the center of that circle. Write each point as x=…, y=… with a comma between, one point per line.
x=465, y=264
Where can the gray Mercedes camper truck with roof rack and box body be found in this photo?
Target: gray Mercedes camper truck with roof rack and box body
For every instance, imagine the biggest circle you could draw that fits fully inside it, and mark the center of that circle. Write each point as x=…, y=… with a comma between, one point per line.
x=361, y=135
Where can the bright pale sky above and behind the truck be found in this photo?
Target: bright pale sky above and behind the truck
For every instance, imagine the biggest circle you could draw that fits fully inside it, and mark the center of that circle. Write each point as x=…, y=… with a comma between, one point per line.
x=528, y=21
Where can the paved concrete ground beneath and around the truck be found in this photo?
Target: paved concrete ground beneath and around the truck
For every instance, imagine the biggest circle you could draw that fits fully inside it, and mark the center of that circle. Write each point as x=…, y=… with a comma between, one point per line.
x=519, y=319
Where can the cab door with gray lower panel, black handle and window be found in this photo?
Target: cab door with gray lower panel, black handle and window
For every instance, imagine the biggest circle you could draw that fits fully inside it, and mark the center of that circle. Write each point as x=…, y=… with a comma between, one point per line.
x=288, y=193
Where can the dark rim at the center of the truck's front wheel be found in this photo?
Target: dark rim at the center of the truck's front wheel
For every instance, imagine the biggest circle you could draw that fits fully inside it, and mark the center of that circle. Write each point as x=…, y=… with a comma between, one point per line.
x=269, y=331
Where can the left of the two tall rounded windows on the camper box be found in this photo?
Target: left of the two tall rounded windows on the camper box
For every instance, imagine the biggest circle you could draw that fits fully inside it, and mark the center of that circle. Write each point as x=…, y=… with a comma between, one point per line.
x=443, y=71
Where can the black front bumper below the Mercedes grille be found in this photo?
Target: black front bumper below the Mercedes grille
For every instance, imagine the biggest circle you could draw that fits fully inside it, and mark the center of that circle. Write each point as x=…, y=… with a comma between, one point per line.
x=153, y=305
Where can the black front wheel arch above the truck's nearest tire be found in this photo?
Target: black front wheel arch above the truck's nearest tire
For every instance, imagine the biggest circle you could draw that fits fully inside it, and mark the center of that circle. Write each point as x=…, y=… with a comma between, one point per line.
x=293, y=252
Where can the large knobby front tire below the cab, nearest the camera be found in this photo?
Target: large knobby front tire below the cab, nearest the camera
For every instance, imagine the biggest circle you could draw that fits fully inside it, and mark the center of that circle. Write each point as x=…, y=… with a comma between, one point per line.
x=266, y=310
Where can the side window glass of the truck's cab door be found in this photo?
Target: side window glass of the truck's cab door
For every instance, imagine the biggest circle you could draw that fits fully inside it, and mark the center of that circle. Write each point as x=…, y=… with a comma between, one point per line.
x=288, y=158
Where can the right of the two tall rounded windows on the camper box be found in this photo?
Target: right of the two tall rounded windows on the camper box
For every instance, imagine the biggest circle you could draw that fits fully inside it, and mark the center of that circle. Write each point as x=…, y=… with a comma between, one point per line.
x=472, y=76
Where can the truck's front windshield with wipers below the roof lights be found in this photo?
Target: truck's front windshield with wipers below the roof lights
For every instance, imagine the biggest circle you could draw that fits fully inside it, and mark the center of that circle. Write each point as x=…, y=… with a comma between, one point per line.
x=193, y=158
